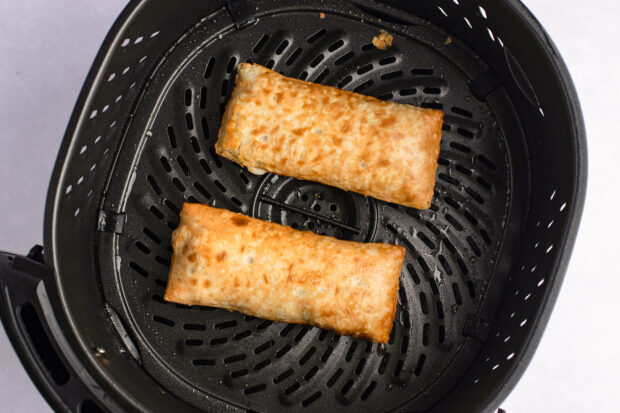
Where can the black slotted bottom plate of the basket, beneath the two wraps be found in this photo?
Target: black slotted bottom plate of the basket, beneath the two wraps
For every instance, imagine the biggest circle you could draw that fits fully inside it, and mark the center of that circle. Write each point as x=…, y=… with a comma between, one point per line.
x=199, y=352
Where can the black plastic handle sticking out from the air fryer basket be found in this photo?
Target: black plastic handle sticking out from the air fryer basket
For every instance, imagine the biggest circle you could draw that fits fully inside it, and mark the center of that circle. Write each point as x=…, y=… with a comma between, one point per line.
x=33, y=329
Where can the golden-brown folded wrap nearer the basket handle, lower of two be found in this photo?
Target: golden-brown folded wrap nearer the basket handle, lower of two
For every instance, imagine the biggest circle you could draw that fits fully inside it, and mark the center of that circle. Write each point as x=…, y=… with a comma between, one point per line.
x=228, y=260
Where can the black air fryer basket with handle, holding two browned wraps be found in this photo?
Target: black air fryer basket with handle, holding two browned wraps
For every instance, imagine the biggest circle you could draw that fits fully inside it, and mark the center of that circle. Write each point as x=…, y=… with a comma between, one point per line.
x=484, y=264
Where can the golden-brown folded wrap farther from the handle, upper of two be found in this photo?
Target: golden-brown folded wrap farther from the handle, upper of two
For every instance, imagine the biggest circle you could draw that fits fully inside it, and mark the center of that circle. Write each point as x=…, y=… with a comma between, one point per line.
x=309, y=131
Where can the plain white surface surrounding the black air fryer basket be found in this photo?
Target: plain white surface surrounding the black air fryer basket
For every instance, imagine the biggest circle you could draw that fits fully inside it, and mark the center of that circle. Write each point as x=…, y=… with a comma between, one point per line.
x=46, y=49
